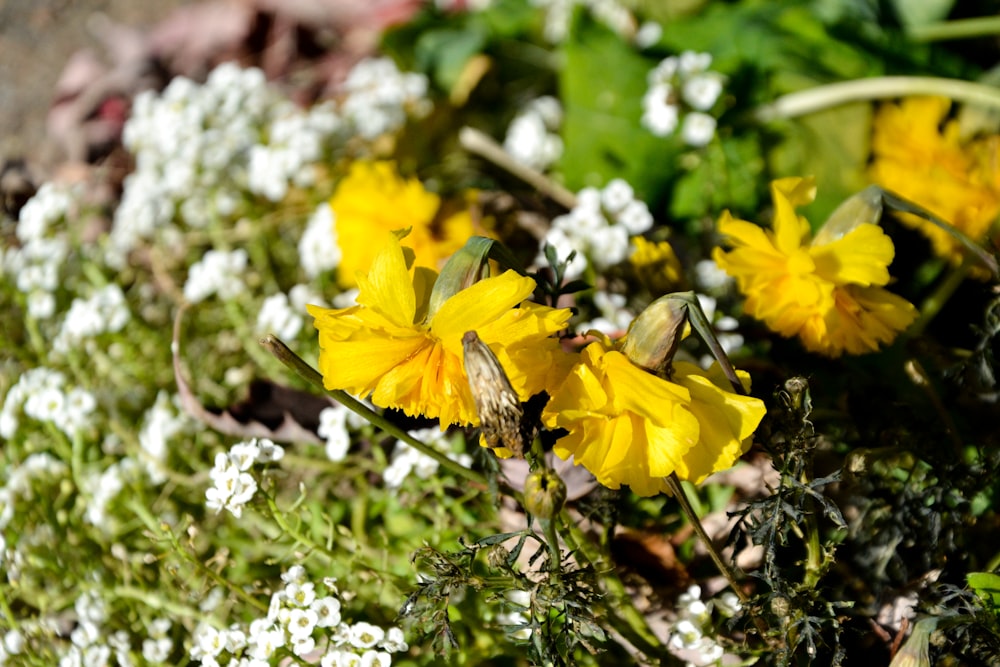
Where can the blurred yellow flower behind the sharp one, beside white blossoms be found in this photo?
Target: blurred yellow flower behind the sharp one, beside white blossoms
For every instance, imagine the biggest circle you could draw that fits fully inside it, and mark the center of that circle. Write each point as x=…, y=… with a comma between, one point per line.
x=373, y=200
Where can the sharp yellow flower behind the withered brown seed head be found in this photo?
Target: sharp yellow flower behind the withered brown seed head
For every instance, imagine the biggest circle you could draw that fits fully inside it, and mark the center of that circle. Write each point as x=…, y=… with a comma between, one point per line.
x=389, y=345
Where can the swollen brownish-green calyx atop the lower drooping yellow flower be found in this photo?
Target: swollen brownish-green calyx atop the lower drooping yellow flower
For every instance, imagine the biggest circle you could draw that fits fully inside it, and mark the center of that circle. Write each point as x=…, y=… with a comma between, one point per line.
x=655, y=334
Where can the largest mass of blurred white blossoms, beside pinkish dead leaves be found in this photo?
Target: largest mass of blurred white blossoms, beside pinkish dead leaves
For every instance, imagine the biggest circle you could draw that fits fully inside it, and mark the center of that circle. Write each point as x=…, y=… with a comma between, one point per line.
x=202, y=151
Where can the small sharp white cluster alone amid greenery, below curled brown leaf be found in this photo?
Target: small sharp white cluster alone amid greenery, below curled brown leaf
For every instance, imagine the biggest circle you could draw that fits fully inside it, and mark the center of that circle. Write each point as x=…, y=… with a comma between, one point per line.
x=234, y=485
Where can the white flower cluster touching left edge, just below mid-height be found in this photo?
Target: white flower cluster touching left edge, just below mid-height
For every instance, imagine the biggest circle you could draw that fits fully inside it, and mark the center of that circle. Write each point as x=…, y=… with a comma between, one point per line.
x=41, y=394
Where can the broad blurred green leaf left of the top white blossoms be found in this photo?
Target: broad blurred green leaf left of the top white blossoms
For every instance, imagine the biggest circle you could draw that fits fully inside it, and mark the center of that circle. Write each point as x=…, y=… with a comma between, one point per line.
x=601, y=87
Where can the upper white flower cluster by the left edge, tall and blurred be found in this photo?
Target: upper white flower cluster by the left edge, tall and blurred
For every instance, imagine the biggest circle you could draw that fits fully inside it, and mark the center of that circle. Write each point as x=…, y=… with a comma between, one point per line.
x=34, y=266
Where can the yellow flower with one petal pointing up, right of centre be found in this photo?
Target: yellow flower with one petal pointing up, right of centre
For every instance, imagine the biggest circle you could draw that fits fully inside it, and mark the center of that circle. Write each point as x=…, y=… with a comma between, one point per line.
x=830, y=293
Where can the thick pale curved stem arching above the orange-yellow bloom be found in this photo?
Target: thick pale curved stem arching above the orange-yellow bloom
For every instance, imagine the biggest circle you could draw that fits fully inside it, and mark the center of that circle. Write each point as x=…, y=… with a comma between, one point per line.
x=809, y=101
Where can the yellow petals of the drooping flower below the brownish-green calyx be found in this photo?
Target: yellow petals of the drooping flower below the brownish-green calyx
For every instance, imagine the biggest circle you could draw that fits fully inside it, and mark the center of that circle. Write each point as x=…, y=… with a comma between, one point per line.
x=628, y=426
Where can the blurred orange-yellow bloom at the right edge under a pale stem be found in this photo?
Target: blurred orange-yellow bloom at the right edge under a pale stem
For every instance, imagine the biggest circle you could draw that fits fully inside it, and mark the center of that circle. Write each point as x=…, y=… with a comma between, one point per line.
x=915, y=156
